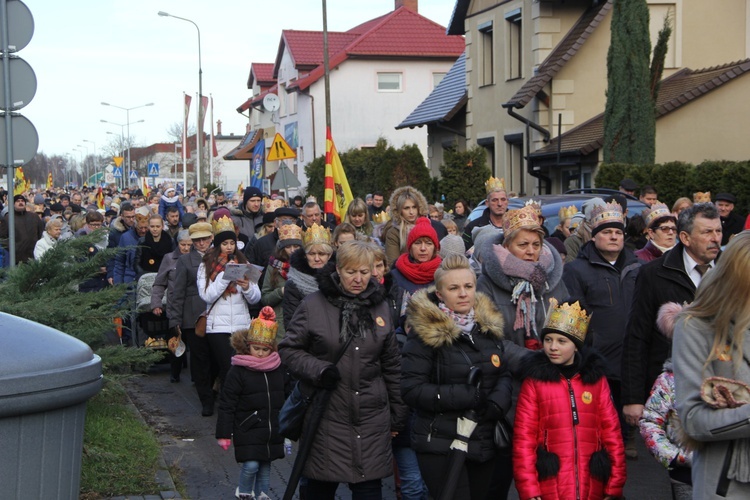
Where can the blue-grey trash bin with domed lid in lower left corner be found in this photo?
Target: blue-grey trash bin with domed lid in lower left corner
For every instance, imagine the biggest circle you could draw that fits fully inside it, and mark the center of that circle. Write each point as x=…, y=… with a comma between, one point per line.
x=46, y=377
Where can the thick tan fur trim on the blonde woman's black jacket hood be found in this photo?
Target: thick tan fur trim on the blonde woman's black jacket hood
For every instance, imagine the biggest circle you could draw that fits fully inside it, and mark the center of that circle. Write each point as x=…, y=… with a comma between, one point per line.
x=436, y=329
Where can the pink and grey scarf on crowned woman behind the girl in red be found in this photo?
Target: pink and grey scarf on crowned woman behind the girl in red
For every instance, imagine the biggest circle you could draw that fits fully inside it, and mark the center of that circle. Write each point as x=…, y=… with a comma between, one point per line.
x=530, y=281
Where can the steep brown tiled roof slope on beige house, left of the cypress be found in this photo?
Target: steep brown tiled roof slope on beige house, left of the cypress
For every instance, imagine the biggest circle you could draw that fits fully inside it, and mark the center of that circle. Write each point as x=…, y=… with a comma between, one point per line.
x=565, y=50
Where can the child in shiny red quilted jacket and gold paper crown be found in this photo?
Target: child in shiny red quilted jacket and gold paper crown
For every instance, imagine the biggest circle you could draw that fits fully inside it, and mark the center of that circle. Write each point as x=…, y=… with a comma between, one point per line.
x=567, y=441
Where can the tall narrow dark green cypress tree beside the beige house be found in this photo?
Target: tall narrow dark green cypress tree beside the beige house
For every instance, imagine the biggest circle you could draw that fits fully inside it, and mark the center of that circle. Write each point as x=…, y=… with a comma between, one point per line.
x=629, y=121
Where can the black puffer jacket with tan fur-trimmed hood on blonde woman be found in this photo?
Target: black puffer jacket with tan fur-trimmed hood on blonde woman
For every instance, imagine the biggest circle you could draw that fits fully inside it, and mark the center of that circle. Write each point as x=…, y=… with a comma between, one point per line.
x=436, y=362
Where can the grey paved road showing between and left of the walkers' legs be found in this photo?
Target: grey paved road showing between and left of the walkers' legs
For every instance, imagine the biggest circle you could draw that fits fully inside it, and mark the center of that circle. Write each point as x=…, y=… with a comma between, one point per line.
x=210, y=473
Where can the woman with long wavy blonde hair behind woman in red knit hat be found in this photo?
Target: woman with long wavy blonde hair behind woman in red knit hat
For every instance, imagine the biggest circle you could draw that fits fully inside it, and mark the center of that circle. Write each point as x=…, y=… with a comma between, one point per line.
x=407, y=205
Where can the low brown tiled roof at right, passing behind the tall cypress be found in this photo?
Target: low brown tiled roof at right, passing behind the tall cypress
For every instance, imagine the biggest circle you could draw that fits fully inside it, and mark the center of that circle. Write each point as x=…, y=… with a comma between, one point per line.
x=677, y=90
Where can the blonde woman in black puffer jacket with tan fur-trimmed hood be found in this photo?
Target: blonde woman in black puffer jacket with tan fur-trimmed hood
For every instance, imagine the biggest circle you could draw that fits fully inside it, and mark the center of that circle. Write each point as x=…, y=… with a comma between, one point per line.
x=453, y=329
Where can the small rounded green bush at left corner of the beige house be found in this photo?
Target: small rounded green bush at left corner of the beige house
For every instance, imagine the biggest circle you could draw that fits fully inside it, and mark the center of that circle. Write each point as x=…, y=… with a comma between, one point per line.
x=463, y=175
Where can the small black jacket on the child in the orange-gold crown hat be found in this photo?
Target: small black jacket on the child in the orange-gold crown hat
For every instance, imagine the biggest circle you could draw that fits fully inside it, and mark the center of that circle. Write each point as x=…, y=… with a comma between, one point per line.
x=249, y=413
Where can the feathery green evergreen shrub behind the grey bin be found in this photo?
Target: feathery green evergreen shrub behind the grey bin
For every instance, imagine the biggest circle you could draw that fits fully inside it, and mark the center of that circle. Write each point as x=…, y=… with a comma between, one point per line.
x=46, y=291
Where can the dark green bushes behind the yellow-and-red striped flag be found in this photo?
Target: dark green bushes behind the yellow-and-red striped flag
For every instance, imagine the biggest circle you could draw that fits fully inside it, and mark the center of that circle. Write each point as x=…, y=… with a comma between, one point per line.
x=382, y=168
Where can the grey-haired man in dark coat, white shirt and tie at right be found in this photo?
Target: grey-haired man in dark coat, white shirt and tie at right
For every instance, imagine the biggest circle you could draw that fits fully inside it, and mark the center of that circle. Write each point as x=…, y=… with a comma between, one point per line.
x=673, y=277
